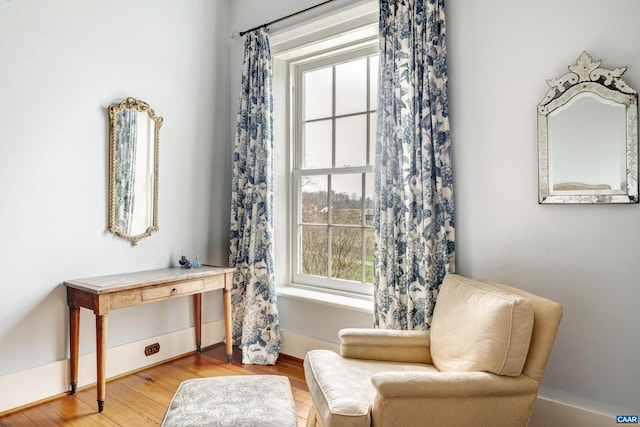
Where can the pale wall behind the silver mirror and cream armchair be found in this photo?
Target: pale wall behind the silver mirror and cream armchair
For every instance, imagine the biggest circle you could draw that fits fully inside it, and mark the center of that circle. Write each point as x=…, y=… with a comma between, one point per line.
x=500, y=53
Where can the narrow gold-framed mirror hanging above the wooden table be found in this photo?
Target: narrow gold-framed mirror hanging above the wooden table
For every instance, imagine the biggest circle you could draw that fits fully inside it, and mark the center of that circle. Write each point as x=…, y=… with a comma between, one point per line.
x=134, y=137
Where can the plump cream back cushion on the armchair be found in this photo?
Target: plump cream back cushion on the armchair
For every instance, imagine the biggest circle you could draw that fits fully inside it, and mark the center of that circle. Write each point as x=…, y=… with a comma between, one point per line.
x=477, y=326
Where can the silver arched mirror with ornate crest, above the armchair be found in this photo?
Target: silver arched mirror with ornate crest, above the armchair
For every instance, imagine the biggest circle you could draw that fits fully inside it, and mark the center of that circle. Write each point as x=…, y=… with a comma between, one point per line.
x=588, y=137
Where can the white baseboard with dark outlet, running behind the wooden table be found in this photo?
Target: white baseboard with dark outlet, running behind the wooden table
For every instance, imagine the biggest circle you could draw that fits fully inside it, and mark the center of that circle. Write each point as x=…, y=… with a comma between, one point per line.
x=33, y=385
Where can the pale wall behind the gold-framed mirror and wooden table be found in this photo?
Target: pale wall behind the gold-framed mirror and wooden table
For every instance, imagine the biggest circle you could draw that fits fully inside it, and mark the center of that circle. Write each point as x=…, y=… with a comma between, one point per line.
x=63, y=63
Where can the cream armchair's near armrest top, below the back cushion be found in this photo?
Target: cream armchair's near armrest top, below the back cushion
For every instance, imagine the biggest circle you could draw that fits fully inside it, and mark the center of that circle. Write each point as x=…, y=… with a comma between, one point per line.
x=394, y=385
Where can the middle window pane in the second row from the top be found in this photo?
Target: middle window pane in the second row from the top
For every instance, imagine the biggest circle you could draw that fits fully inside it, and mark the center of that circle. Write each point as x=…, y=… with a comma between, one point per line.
x=351, y=141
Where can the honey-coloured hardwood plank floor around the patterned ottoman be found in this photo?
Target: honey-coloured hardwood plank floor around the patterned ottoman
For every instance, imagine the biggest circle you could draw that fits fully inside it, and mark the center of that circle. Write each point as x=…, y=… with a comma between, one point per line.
x=141, y=398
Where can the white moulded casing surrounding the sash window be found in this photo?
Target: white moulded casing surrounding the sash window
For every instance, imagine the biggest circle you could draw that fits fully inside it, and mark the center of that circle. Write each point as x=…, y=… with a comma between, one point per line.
x=351, y=29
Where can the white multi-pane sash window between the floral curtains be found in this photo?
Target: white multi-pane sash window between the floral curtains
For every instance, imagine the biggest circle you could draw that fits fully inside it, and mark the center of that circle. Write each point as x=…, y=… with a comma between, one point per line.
x=332, y=177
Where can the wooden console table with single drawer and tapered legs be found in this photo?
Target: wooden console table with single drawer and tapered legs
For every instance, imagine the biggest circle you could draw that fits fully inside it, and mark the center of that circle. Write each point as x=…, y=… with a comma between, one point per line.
x=106, y=293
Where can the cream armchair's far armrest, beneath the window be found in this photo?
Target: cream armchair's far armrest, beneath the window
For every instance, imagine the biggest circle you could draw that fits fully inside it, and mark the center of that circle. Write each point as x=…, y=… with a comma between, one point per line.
x=385, y=344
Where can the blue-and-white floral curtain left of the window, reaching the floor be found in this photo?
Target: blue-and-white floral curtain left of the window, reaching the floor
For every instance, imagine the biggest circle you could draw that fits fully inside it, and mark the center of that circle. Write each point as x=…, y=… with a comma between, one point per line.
x=253, y=297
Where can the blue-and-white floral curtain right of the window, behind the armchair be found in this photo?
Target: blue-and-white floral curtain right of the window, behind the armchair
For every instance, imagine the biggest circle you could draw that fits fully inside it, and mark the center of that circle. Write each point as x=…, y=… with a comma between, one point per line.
x=414, y=216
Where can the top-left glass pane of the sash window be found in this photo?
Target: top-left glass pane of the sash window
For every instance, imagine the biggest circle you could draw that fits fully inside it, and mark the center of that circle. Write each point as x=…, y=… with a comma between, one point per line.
x=318, y=93
